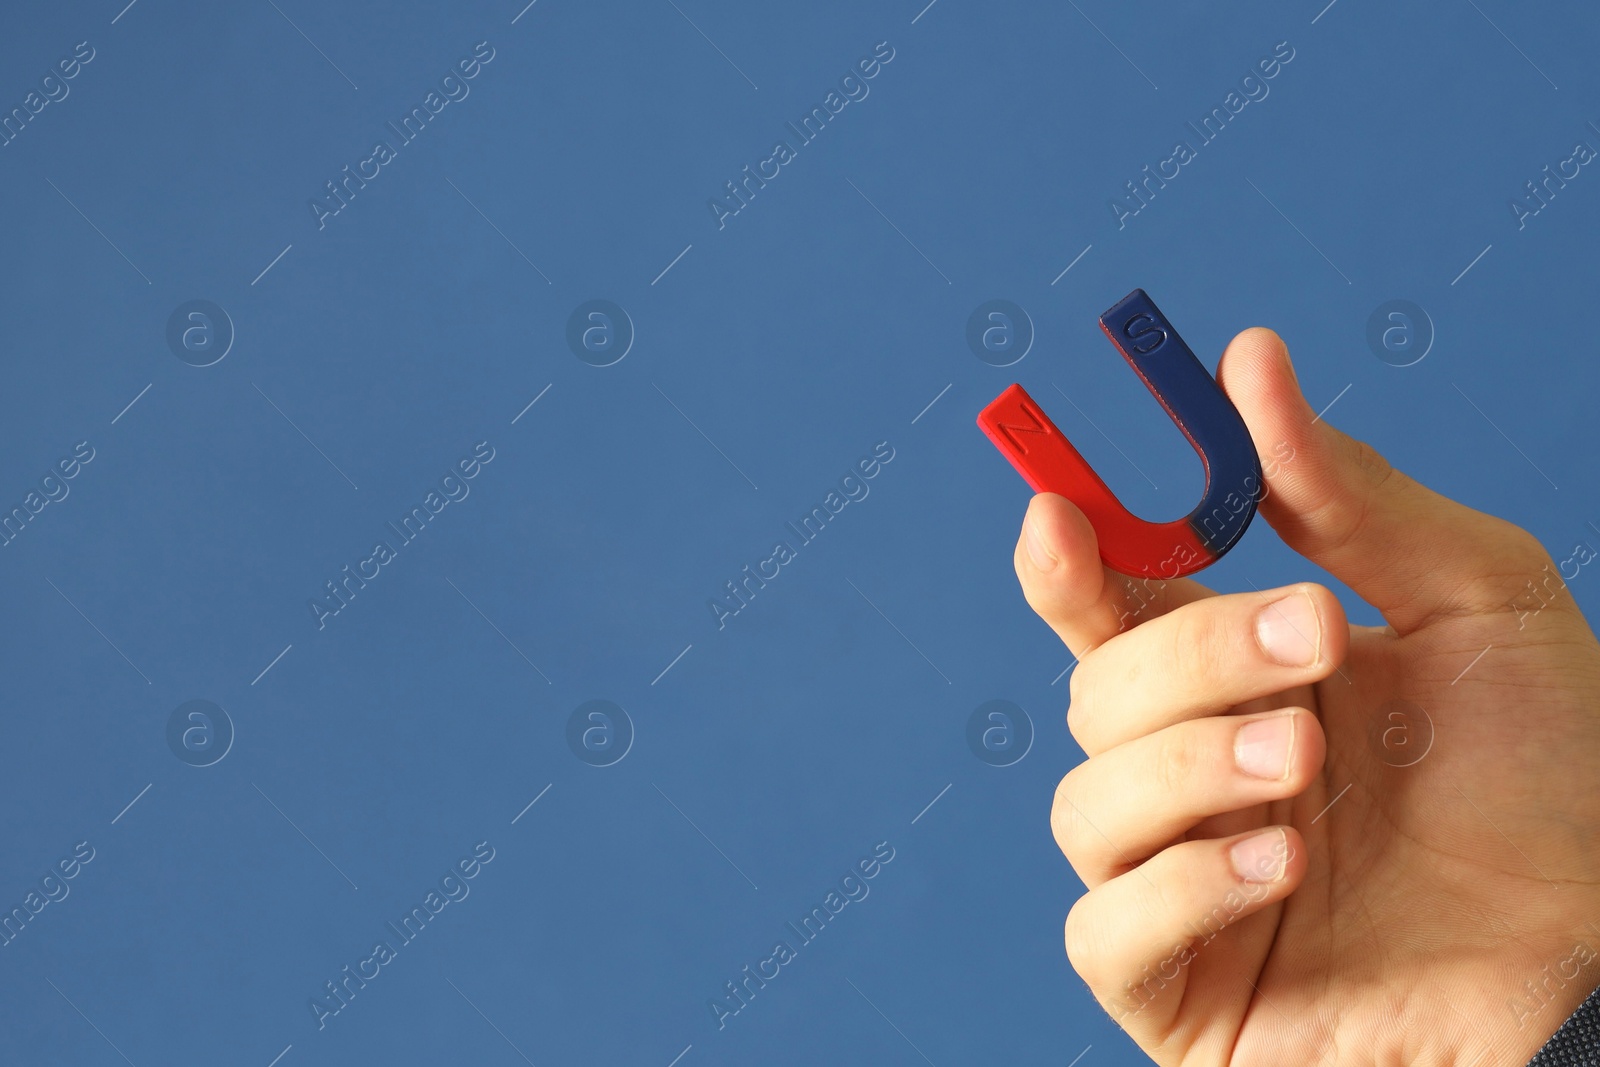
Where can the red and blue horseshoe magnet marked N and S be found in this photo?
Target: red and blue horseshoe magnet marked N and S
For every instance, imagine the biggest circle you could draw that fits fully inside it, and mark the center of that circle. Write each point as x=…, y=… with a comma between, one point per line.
x=1193, y=399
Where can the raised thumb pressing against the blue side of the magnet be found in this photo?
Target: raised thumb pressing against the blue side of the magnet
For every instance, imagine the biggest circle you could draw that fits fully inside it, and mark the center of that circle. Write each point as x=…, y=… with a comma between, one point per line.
x=1402, y=548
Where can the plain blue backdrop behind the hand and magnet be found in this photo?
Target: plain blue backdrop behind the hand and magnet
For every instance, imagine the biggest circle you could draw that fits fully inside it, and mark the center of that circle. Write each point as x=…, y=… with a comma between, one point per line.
x=769, y=359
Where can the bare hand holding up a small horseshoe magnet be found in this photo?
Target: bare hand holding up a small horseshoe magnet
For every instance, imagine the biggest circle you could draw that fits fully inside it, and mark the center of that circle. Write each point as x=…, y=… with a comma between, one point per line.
x=1286, y=865
